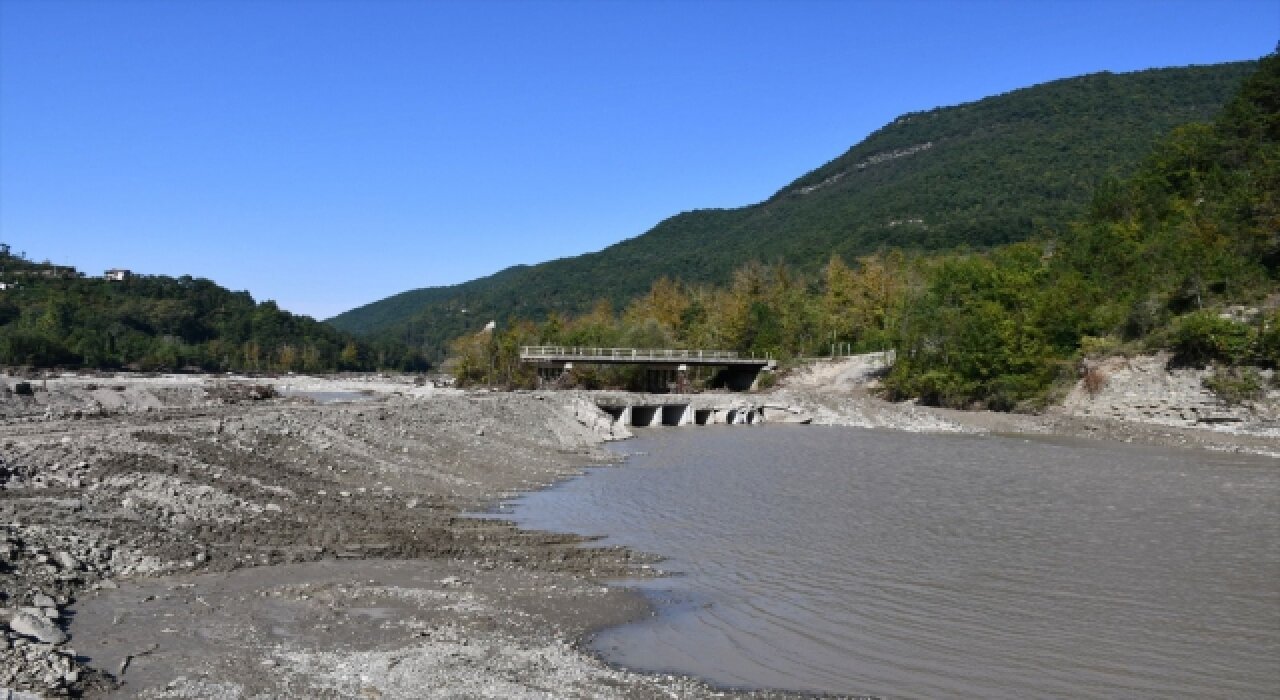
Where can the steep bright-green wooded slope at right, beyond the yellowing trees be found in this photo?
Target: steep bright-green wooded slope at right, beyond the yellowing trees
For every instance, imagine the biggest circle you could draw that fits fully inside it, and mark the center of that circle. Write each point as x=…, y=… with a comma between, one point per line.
x=1154, y=264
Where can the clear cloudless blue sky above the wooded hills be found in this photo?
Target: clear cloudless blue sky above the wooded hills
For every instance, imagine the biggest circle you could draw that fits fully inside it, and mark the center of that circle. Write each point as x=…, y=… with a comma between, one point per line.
x=330, y=154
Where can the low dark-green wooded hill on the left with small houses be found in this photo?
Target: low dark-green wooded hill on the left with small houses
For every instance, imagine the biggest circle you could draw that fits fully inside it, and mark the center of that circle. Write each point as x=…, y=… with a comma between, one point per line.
x=54, y=317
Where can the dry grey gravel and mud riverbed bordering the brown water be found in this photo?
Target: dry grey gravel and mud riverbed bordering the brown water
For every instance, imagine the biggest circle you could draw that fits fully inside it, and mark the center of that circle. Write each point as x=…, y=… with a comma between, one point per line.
x=198, y=537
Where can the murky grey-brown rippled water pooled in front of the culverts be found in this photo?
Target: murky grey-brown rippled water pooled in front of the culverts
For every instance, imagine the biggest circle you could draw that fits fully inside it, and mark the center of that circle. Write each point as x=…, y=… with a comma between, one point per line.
x=927, y=566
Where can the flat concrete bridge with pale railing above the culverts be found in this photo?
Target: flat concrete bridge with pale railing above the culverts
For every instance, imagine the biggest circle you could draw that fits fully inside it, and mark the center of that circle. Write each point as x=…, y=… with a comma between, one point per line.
x=668, y=368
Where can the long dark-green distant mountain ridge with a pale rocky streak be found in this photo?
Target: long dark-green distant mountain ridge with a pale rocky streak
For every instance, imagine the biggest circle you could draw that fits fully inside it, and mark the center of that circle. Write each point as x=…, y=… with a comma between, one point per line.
x=981, y=175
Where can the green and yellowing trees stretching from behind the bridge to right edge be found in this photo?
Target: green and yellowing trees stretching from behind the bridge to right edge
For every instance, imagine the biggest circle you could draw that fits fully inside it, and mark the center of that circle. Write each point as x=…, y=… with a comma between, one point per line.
x=1155, y=263
